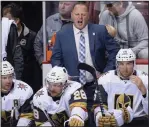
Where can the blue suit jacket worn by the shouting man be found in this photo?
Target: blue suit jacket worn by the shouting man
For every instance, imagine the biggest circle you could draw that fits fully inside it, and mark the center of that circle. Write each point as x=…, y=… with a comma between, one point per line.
x=65, y=53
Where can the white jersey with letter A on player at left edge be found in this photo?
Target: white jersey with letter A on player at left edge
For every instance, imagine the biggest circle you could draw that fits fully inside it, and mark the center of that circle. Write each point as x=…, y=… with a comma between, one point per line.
x=16, y=104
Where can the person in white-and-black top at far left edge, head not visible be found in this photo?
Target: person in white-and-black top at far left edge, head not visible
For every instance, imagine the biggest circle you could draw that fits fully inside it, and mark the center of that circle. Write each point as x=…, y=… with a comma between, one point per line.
x=11, y=50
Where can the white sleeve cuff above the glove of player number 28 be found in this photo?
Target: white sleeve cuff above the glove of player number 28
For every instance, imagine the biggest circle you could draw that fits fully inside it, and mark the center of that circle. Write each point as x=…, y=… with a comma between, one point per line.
x=80, y=112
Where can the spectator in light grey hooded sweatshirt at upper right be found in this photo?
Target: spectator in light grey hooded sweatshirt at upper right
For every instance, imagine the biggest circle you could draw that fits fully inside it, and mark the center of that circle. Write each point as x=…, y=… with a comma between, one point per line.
x=132, y=30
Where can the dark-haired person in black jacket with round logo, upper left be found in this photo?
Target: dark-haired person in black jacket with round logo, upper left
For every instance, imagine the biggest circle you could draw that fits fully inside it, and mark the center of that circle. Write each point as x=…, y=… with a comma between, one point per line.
x=32, y=73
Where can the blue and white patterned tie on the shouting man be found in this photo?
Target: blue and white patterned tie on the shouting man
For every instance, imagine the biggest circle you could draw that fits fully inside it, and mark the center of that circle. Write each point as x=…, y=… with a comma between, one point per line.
x=82, y=77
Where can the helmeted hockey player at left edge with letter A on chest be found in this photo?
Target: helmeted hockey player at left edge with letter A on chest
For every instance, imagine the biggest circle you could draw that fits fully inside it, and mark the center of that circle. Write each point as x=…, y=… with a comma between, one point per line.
x=16, y=97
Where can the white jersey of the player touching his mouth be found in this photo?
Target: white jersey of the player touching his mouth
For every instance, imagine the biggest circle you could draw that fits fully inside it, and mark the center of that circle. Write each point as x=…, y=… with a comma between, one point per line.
x=116, y=88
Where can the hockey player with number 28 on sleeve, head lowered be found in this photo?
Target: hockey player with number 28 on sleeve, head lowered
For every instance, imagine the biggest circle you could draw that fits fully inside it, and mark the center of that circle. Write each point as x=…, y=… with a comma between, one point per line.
x=60, y=101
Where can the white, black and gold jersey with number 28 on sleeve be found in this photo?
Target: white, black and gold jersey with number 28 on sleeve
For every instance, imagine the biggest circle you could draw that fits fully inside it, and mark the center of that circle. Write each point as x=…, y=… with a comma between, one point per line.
x=72, y=101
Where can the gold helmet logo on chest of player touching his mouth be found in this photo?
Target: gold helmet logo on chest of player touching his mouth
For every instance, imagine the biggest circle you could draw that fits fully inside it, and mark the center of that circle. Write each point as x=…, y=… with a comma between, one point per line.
x=123, y=100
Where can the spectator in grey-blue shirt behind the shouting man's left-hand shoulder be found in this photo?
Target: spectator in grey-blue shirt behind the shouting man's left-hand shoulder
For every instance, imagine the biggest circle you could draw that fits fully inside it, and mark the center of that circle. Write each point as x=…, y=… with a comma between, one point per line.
x=53, y=24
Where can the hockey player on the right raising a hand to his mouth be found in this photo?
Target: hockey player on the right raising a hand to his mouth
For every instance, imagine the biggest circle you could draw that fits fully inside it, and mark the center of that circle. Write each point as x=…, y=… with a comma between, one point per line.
x=126, y=91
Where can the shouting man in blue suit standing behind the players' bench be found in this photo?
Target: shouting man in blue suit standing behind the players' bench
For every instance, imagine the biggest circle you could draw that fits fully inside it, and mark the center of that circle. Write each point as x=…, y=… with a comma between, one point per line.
x=82, y=41
